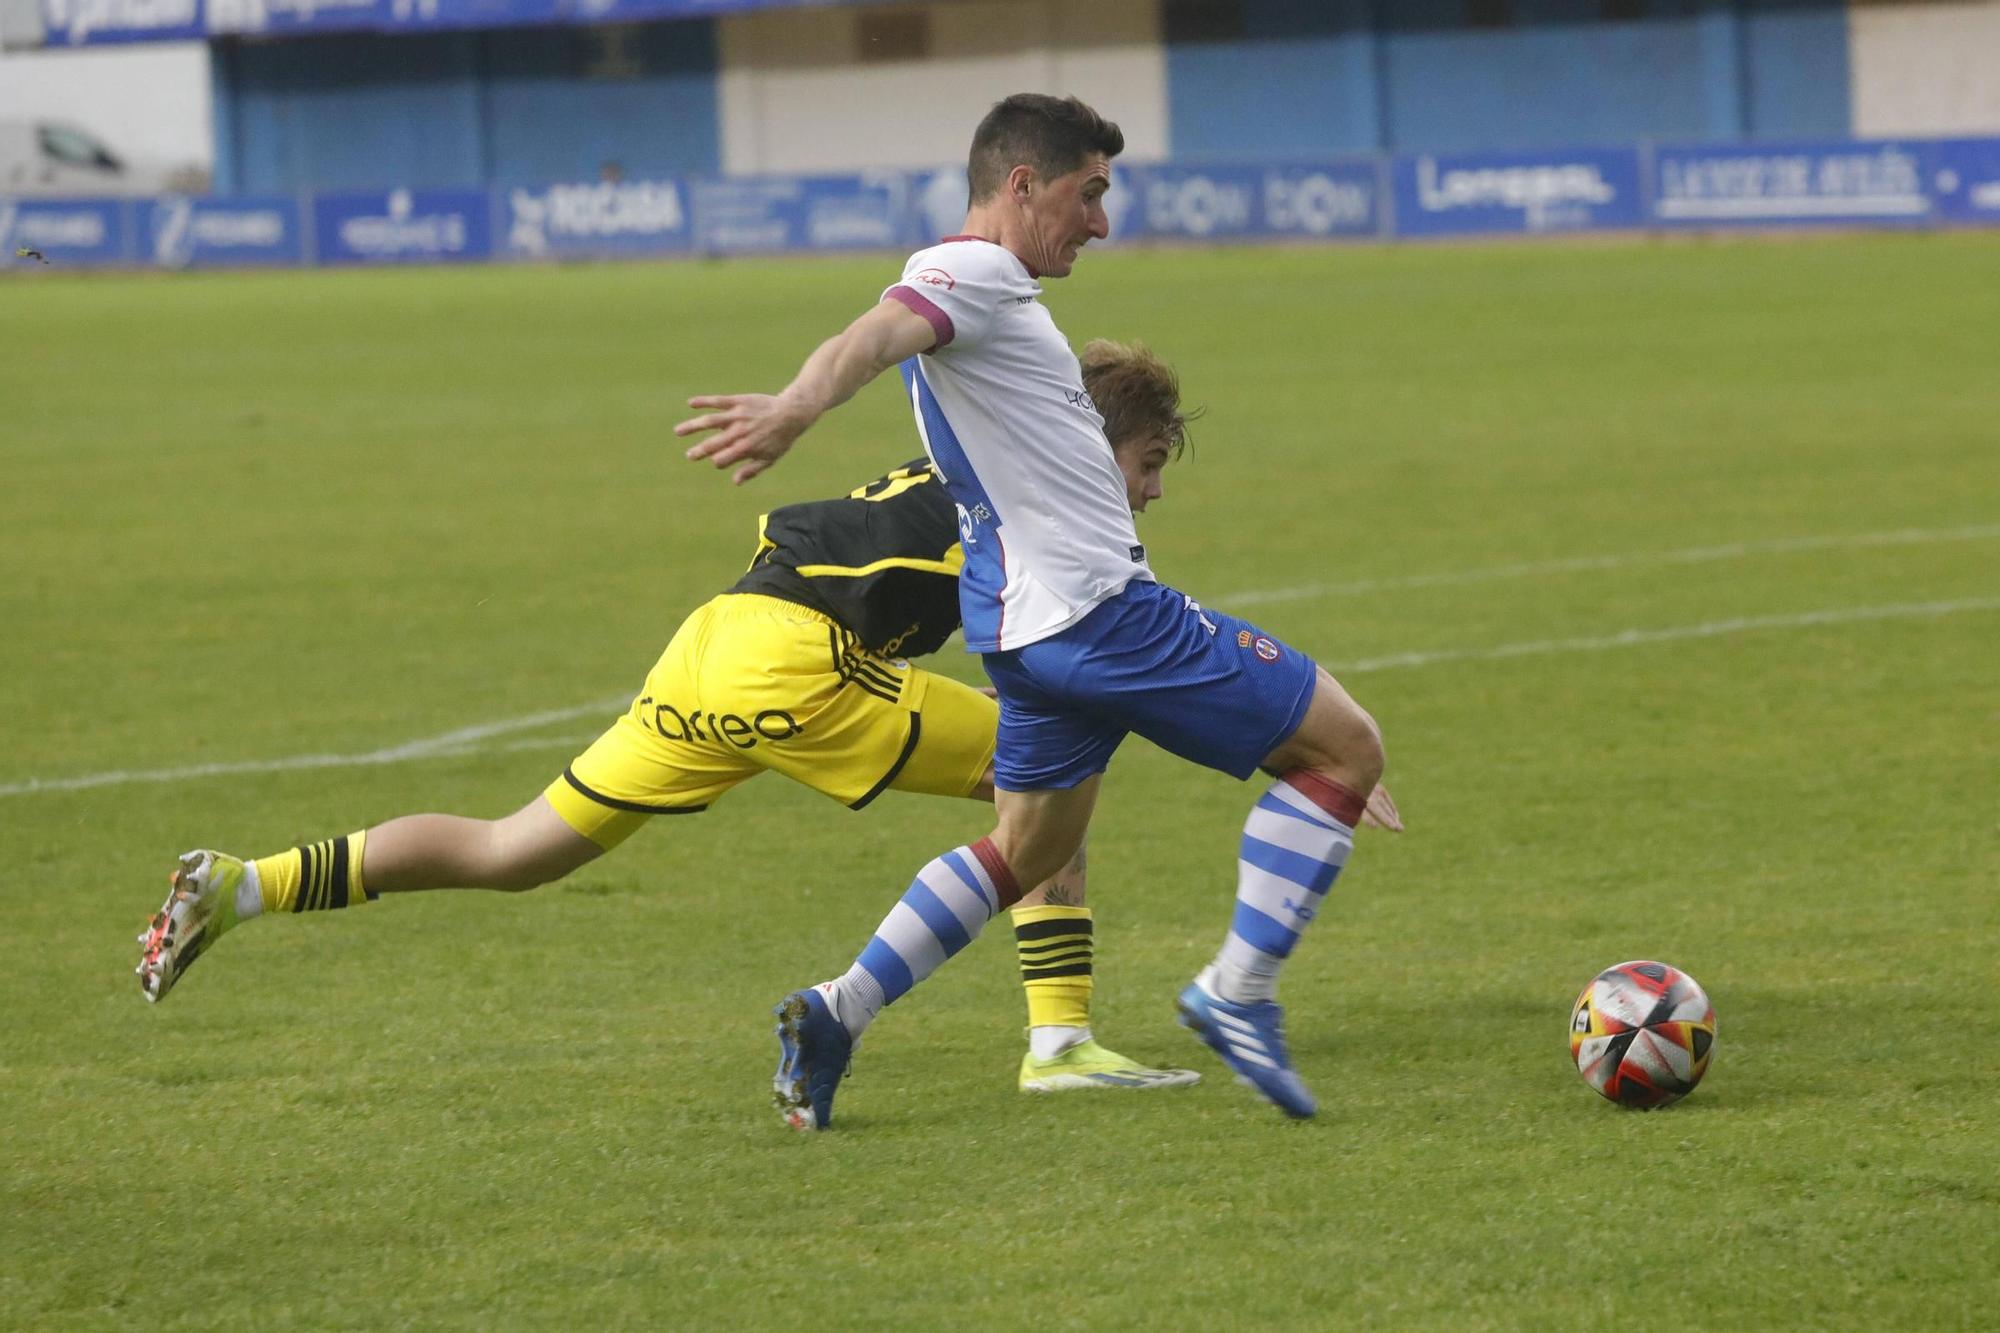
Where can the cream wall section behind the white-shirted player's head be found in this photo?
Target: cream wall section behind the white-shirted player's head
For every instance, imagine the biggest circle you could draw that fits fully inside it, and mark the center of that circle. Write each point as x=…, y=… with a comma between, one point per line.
x=795, y=95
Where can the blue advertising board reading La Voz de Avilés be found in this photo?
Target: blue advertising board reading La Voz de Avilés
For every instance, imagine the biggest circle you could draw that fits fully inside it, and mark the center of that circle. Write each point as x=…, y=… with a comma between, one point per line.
x=1791, y=185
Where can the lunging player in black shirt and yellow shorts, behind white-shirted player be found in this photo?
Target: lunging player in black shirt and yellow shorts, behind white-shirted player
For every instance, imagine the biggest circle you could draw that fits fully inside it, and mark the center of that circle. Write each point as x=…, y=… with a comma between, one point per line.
x=803, y=670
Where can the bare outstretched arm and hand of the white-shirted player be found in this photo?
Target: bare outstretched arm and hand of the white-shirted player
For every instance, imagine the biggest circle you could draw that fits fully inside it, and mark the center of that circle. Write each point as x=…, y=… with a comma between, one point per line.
x=753, y=431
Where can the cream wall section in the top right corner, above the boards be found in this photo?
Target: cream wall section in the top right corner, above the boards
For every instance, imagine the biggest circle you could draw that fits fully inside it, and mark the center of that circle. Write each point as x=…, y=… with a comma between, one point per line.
x=1927, y=69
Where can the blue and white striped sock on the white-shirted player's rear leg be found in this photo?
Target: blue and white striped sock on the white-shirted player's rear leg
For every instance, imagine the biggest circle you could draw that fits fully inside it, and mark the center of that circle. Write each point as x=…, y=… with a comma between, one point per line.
x=947, y=906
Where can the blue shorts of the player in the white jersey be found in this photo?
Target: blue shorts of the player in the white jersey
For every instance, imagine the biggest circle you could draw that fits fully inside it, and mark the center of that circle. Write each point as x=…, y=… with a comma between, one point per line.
x=1193, y=682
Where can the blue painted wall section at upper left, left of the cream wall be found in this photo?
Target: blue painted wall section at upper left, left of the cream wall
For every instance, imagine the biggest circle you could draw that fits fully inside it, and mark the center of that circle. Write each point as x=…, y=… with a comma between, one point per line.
x=461, y=109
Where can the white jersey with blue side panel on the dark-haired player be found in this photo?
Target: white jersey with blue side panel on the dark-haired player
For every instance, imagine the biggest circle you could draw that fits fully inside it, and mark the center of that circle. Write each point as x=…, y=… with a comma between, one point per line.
x=1001, y=403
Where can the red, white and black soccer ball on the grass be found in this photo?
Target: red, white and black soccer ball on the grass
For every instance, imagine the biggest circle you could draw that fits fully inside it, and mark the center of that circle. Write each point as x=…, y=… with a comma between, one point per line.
x=1643, y=1034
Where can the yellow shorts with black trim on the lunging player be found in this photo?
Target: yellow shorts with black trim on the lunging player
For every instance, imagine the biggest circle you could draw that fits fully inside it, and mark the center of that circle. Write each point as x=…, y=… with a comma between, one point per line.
x=755, y=684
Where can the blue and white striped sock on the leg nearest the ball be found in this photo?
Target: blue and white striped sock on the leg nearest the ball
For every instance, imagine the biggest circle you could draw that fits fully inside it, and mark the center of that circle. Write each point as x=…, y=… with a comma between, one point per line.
x=1295, y=844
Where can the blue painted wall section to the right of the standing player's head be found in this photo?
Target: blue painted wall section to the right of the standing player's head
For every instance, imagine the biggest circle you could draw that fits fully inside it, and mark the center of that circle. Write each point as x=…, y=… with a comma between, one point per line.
x=1259, y=77
